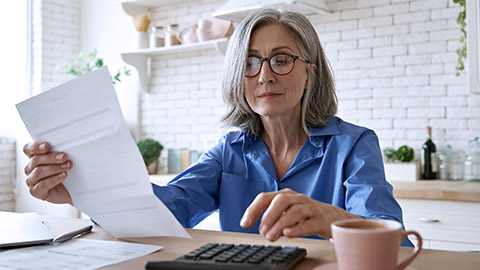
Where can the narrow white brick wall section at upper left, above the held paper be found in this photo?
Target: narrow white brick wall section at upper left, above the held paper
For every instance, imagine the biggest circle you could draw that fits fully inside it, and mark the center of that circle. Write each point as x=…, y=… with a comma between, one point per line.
x=55, y=35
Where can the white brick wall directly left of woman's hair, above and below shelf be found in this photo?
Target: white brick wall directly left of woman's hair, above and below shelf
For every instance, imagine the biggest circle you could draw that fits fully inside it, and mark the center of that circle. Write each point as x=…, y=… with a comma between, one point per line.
x=184, y=105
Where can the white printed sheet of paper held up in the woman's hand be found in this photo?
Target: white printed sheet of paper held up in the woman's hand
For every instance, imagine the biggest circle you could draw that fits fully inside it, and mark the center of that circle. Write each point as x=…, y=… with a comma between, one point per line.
x=108, y=181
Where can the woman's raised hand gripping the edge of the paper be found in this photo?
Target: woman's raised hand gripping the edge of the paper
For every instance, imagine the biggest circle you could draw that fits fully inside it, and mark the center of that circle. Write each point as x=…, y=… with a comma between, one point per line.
x=46, y=172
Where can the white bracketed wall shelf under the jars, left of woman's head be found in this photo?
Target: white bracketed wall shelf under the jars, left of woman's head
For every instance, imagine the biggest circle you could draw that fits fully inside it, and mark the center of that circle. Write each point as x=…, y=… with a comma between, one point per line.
x=140, y=59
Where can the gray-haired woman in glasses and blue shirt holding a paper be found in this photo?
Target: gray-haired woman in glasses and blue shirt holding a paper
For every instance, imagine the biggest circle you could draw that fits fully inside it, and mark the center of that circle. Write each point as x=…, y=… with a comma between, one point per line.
x=292, y=160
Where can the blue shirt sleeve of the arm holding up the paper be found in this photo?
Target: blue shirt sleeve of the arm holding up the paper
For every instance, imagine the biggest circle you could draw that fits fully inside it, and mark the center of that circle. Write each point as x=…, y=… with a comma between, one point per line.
x=193, y=194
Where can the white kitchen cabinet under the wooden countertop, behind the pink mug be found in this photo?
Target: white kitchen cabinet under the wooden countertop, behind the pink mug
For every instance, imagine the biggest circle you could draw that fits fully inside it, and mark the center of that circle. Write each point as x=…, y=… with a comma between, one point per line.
x=446, y=225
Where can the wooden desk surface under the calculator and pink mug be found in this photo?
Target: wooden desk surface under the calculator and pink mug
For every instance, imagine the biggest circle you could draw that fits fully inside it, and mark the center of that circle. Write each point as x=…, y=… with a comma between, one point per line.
x=318, y=251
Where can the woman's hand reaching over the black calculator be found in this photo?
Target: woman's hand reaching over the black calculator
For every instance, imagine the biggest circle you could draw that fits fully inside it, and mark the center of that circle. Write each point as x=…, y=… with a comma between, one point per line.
x=291, y=214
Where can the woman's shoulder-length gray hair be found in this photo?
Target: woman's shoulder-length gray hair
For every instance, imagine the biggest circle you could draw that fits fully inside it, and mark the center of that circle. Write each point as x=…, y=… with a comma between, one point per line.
x=319, y=102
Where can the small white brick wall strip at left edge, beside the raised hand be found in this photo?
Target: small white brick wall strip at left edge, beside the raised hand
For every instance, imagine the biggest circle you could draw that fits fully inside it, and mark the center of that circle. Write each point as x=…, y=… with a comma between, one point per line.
x=7, y=157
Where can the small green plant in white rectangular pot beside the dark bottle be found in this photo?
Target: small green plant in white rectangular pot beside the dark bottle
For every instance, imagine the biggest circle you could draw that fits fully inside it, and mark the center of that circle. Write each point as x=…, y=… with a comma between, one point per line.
x=399, y=164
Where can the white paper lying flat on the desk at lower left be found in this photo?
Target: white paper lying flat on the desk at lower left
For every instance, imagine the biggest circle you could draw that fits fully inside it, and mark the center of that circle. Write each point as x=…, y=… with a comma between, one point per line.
x=76, y=254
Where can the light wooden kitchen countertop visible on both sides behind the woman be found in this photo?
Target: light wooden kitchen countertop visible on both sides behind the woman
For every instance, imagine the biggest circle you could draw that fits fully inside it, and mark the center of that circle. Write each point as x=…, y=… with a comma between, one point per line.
x=423, y=189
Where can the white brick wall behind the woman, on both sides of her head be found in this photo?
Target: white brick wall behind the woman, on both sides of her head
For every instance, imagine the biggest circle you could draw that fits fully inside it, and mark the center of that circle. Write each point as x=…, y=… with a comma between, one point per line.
x=393, y=61
